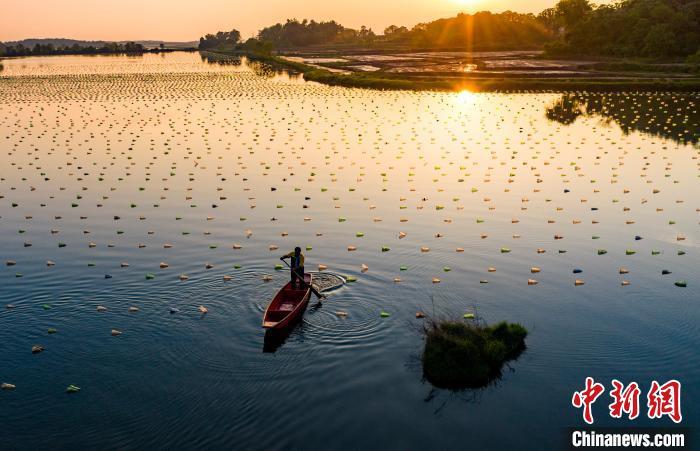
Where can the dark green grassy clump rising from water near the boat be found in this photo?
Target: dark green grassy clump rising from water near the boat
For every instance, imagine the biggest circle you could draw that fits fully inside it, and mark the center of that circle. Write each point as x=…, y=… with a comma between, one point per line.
x=460, y=355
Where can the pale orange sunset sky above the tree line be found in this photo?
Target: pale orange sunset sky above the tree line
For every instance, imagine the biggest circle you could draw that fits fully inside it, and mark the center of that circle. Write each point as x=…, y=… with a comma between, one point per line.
x=186, y=20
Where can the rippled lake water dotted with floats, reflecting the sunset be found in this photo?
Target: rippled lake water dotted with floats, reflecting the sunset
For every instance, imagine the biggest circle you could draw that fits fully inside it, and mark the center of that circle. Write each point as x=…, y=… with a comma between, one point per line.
x=105, y=160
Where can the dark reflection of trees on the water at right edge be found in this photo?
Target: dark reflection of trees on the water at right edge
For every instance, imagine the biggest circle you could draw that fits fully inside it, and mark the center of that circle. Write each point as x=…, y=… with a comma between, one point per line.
x=671, y=116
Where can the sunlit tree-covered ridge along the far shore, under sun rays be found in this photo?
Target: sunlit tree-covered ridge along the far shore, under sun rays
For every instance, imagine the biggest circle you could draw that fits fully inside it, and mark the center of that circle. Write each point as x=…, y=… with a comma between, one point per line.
x=634, y=28
